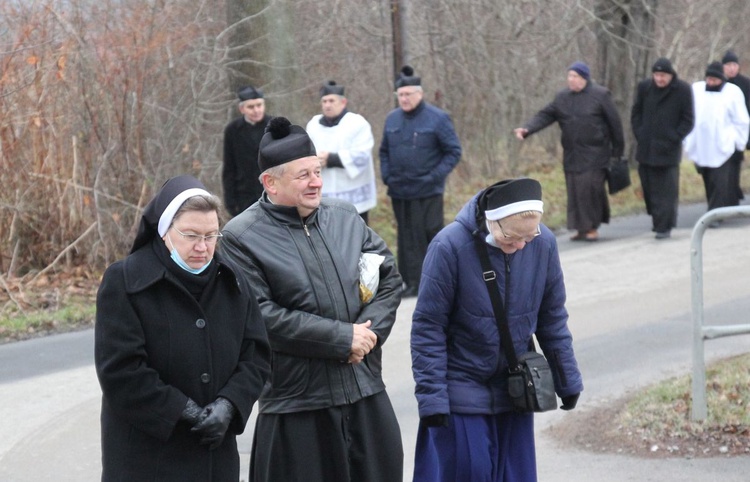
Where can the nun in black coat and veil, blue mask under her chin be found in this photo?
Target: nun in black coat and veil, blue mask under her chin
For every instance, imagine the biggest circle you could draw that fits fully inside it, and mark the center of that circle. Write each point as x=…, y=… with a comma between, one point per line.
x=181, y=352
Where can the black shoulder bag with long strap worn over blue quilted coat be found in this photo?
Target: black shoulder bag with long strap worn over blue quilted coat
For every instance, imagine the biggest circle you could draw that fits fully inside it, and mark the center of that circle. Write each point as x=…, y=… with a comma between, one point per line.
x=531, y=387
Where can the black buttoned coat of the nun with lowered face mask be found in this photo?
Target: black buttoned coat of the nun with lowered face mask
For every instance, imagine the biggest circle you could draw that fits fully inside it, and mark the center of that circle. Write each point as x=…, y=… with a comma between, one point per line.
x=155, y=346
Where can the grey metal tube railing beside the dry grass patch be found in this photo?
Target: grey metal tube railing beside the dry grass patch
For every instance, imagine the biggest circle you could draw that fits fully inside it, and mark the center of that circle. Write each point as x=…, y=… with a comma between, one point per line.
x=702, y=333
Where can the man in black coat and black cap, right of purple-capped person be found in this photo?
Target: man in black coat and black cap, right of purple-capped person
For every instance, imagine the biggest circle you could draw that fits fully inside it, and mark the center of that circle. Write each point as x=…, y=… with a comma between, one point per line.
x=661, y=117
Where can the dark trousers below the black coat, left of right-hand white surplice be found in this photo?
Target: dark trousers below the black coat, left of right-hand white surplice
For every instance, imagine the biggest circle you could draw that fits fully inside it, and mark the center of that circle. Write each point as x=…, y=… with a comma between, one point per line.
x=661, y=191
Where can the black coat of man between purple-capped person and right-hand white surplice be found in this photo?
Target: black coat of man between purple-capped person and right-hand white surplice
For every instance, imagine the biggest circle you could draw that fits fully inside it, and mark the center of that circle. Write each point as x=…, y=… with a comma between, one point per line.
x=661, y=118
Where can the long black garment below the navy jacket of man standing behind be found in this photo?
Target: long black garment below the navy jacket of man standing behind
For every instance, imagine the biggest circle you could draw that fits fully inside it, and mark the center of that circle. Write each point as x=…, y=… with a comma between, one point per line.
x=419, y=220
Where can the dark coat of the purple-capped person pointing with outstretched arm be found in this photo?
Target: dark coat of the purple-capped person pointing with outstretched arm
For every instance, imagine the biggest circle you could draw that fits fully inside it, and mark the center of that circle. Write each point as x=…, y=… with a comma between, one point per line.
x=591, y=127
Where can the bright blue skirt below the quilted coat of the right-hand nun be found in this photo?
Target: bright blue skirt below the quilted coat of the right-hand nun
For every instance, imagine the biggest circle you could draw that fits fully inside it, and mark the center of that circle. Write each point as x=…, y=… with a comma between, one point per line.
x=477, y=448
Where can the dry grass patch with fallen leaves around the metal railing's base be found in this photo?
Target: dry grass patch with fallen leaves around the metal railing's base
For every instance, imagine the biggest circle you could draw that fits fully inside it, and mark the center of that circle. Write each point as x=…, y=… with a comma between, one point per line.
x=656, y=421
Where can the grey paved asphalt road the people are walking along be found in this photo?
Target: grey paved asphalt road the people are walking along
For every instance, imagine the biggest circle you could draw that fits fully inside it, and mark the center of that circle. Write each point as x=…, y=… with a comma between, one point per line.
x=629, y=298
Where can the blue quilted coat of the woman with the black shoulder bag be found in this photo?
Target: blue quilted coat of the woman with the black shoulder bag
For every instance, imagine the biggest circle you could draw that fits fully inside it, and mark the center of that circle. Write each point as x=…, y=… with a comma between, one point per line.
x=457, y=359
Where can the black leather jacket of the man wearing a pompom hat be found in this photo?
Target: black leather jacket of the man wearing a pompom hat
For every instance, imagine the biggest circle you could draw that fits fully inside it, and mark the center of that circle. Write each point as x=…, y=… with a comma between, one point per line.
x=306, y=277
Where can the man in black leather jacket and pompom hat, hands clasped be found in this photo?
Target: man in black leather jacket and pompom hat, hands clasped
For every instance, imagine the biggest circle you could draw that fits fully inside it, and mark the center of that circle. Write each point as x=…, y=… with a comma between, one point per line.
x=324, y=414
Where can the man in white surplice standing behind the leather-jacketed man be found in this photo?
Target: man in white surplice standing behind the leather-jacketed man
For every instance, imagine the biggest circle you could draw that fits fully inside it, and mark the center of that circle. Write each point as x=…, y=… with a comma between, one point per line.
x=344, y=144
